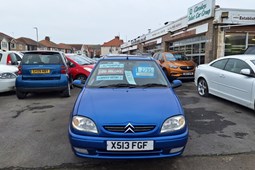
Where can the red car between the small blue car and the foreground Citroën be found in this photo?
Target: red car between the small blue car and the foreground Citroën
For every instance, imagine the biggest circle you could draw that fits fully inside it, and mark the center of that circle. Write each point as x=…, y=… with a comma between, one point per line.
x=79, y=67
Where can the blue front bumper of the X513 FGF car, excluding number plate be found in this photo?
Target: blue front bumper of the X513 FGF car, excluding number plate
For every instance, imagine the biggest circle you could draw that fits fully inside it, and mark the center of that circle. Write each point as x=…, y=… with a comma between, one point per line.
x=95, y=147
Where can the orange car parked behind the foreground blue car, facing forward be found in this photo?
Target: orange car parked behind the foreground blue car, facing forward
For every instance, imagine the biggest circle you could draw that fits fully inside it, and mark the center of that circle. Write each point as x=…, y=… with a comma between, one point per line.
x=175, y=65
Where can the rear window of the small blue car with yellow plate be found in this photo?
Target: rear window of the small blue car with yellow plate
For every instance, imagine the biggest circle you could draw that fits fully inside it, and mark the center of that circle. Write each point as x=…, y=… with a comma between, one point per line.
x=42, y=58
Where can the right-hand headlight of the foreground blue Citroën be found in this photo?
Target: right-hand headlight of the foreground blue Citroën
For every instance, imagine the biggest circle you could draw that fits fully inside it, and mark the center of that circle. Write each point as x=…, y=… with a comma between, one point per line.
x=173, y=124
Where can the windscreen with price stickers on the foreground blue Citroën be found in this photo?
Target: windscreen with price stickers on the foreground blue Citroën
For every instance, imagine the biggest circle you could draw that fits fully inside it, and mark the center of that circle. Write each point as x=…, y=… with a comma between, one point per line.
x=127, y=73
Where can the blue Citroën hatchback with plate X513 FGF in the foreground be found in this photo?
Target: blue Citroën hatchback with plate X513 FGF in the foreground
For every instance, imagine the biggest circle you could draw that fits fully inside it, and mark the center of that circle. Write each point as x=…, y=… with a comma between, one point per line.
x=127, y=110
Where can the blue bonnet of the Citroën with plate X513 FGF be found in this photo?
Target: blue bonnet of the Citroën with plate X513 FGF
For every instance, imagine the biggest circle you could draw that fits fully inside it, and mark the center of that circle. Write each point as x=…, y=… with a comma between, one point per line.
x=113, y=106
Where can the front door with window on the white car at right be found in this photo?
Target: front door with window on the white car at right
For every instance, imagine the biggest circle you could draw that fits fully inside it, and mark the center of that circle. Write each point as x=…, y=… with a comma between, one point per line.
x=235, y=86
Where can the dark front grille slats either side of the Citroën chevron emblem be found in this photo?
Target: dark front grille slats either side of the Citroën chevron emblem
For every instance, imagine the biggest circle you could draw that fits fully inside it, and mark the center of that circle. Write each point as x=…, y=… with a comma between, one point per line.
x=136, y=129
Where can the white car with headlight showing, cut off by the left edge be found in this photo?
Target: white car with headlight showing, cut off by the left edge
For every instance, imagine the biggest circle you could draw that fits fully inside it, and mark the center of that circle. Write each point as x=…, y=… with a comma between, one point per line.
x=8, y=76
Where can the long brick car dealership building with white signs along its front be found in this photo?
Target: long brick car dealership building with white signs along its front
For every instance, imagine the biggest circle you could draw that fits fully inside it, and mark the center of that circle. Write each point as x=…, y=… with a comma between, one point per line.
x=205, y=33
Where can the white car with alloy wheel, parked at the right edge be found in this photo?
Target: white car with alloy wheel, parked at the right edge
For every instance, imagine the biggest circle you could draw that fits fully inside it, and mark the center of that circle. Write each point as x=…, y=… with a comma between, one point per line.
x=231, y=78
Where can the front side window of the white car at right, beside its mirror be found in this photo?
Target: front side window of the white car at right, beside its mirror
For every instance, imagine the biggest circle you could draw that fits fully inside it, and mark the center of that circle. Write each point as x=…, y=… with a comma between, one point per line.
x=236, y=65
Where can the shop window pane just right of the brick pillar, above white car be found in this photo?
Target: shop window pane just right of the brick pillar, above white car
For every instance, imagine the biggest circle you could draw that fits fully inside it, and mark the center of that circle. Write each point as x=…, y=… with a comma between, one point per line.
x=234, y=43
